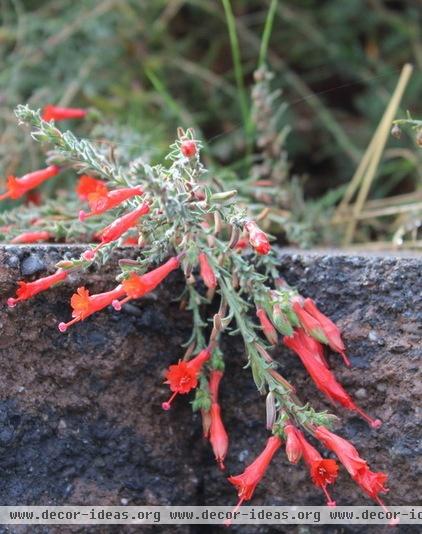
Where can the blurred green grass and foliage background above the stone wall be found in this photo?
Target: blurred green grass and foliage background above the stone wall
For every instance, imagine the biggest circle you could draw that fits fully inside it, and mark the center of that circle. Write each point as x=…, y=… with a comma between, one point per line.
x=150, y=66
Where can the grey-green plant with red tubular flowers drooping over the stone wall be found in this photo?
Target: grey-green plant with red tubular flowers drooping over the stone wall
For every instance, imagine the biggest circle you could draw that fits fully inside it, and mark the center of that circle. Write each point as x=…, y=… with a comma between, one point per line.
x=181, y=220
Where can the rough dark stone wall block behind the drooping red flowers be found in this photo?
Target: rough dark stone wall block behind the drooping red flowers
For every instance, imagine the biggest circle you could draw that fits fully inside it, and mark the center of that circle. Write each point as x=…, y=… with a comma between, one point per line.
x=80, y=415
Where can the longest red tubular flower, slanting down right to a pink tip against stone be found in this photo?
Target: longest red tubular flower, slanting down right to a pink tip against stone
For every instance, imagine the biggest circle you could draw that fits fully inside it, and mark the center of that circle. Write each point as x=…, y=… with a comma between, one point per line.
x=324, y=380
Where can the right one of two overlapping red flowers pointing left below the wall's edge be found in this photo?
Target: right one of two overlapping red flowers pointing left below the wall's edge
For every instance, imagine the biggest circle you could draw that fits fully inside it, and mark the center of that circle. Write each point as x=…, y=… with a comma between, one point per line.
x=137, y=286
